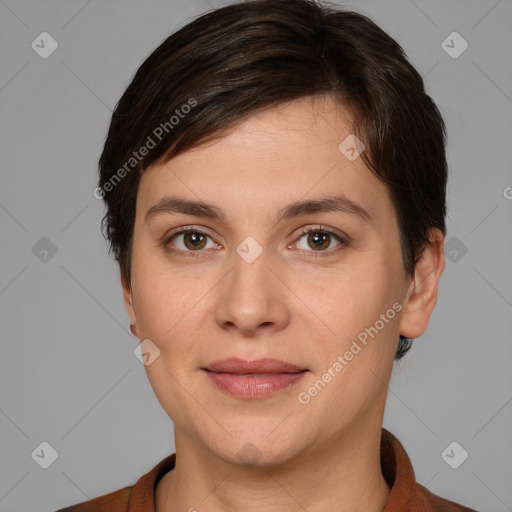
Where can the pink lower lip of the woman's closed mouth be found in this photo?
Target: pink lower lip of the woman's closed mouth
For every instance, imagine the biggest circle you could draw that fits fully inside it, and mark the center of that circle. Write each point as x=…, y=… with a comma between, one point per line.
x=254, y=385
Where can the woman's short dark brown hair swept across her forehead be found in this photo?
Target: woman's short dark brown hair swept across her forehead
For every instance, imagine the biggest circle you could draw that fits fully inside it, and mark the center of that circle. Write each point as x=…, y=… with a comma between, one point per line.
x=236, y=60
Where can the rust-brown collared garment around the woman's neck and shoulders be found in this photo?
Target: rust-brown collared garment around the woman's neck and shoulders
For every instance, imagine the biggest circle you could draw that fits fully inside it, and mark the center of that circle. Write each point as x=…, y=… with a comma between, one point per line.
x=406, y=494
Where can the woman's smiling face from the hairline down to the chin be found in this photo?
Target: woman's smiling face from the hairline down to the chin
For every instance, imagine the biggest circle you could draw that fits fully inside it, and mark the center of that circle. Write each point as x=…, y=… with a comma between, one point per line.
x=319, y=285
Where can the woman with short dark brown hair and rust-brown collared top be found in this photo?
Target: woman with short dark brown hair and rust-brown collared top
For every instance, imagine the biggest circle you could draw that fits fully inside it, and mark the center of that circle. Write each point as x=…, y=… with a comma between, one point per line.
x=274, y=177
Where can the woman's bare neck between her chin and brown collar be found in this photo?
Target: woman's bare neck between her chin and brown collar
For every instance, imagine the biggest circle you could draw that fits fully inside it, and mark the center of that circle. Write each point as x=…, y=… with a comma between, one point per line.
x=344, y=475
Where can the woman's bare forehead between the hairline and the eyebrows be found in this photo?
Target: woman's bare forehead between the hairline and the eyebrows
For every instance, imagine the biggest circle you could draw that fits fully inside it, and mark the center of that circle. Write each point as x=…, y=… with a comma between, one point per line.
x=294, y=151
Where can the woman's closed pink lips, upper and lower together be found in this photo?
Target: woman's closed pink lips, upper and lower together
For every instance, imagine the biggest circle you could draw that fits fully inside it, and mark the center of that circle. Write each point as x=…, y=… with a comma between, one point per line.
x=253, y=379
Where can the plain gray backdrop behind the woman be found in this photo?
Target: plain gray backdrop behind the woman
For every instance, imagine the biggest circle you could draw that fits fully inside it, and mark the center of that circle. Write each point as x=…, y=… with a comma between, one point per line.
x=68, y=375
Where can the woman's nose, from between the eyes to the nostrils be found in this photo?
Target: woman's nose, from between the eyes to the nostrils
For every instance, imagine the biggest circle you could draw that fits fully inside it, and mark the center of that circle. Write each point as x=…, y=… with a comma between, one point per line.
x=251, y=298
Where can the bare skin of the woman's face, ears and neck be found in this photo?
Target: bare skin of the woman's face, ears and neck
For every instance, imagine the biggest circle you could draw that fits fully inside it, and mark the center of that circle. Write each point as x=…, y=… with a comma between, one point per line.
x=288, y=304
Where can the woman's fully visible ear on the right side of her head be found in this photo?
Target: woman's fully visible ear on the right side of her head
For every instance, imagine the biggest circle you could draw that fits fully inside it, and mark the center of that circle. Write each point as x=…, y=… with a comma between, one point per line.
x=421, y=295
